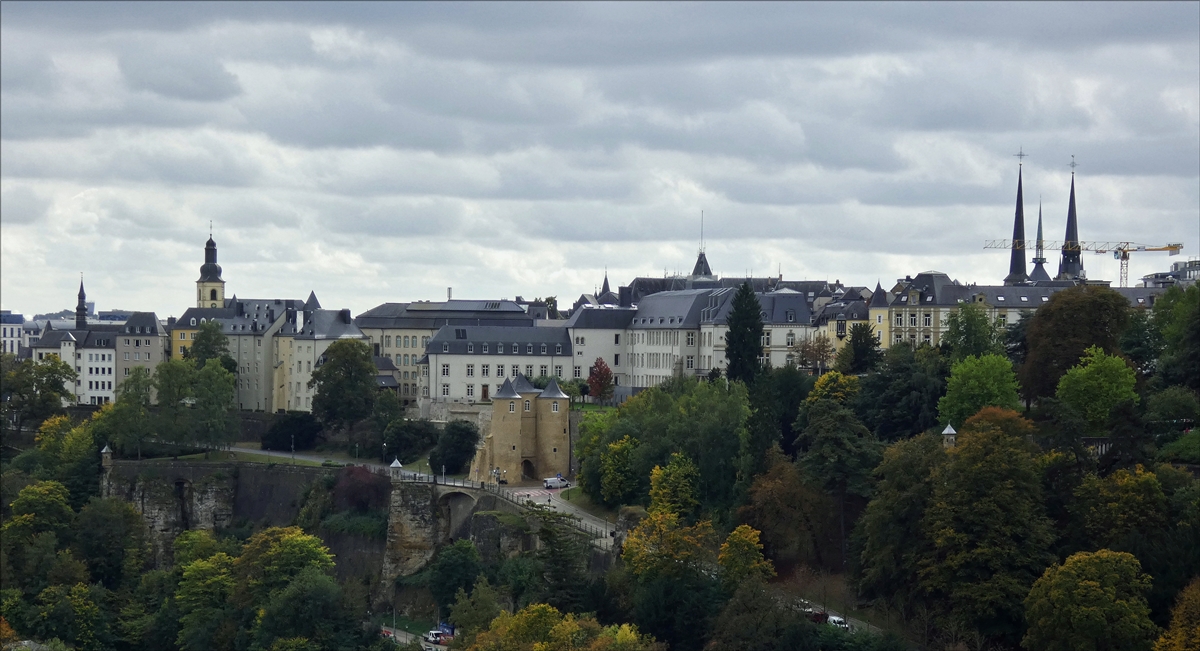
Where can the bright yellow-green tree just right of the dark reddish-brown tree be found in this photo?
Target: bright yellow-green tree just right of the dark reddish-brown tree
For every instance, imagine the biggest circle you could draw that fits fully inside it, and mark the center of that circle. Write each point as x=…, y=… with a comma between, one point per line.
x=1094, y=387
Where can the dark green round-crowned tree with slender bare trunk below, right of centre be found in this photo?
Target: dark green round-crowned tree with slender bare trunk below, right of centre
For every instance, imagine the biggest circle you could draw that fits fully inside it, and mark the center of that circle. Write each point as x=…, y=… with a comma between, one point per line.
x=839, y=453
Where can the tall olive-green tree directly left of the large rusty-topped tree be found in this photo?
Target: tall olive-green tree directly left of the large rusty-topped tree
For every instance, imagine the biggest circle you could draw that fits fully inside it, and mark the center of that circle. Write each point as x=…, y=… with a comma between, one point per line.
x=890, y=540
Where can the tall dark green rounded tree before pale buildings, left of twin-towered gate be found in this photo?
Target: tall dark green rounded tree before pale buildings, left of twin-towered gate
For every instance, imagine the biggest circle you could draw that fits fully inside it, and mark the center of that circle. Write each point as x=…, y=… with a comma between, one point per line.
x=345, y=384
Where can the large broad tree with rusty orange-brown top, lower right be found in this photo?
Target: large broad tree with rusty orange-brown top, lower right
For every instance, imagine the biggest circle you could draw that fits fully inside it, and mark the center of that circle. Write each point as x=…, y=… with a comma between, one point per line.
x=991, y=536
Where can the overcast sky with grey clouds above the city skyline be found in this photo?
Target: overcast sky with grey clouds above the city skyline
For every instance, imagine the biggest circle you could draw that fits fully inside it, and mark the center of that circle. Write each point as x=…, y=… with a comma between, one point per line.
x=385, y=152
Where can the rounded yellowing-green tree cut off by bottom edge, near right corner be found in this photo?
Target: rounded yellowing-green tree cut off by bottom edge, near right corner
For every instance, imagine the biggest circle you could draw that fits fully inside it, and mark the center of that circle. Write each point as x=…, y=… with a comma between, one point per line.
x=1093, y=601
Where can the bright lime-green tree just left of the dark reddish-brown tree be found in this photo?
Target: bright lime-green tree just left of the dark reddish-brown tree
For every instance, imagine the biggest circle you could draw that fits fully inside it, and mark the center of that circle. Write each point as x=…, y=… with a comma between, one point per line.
x=975, y=384
